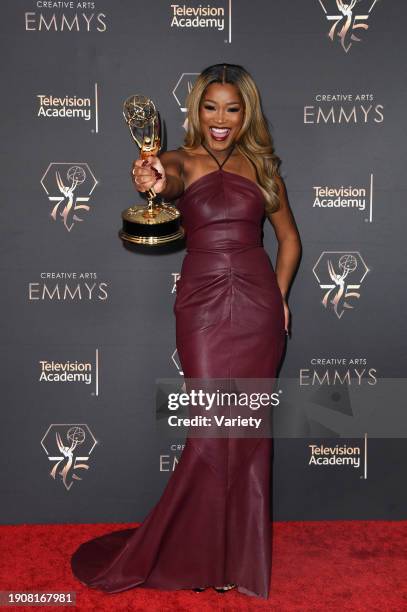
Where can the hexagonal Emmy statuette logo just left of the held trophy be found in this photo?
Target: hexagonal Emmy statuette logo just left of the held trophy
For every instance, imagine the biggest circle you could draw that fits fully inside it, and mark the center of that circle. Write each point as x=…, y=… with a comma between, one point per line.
x=68, y=186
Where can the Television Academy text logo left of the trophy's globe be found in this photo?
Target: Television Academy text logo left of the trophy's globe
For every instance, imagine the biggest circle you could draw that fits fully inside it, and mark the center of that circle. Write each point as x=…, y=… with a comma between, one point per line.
x=69, y=107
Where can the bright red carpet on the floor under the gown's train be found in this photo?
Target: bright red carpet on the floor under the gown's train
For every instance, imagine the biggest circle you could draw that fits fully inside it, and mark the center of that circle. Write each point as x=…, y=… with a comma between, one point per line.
x=326, y=565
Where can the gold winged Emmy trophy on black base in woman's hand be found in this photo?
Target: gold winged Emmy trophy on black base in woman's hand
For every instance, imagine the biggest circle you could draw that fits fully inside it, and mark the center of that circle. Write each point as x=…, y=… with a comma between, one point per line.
x=153, y=224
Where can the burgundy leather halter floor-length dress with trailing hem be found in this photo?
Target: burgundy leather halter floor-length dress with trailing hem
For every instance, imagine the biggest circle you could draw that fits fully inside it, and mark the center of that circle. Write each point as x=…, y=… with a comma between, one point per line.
x=211, y=525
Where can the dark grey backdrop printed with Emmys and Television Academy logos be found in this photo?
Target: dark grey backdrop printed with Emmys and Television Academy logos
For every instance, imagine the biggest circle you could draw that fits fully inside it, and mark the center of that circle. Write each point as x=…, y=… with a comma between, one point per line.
x=88, y=325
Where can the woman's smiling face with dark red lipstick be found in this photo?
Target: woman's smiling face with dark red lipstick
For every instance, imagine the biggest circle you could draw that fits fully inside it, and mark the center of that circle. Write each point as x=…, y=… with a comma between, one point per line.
x=221, y=115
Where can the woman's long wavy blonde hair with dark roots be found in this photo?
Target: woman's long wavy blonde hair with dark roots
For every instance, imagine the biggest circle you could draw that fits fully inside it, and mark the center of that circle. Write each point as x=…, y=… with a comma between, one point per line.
x=254, y=140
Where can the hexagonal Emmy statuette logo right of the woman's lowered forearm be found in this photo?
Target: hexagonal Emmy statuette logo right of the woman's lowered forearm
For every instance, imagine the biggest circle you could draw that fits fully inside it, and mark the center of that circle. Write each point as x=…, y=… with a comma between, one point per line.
x=340, y=274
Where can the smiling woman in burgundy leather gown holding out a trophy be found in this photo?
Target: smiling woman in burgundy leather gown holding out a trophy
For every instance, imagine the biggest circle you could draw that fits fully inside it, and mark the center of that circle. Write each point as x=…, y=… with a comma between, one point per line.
x=211, y=527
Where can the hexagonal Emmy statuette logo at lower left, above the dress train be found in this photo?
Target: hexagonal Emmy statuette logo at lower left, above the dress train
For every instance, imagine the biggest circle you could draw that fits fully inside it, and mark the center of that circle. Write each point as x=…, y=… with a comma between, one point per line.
x=68, y=447
